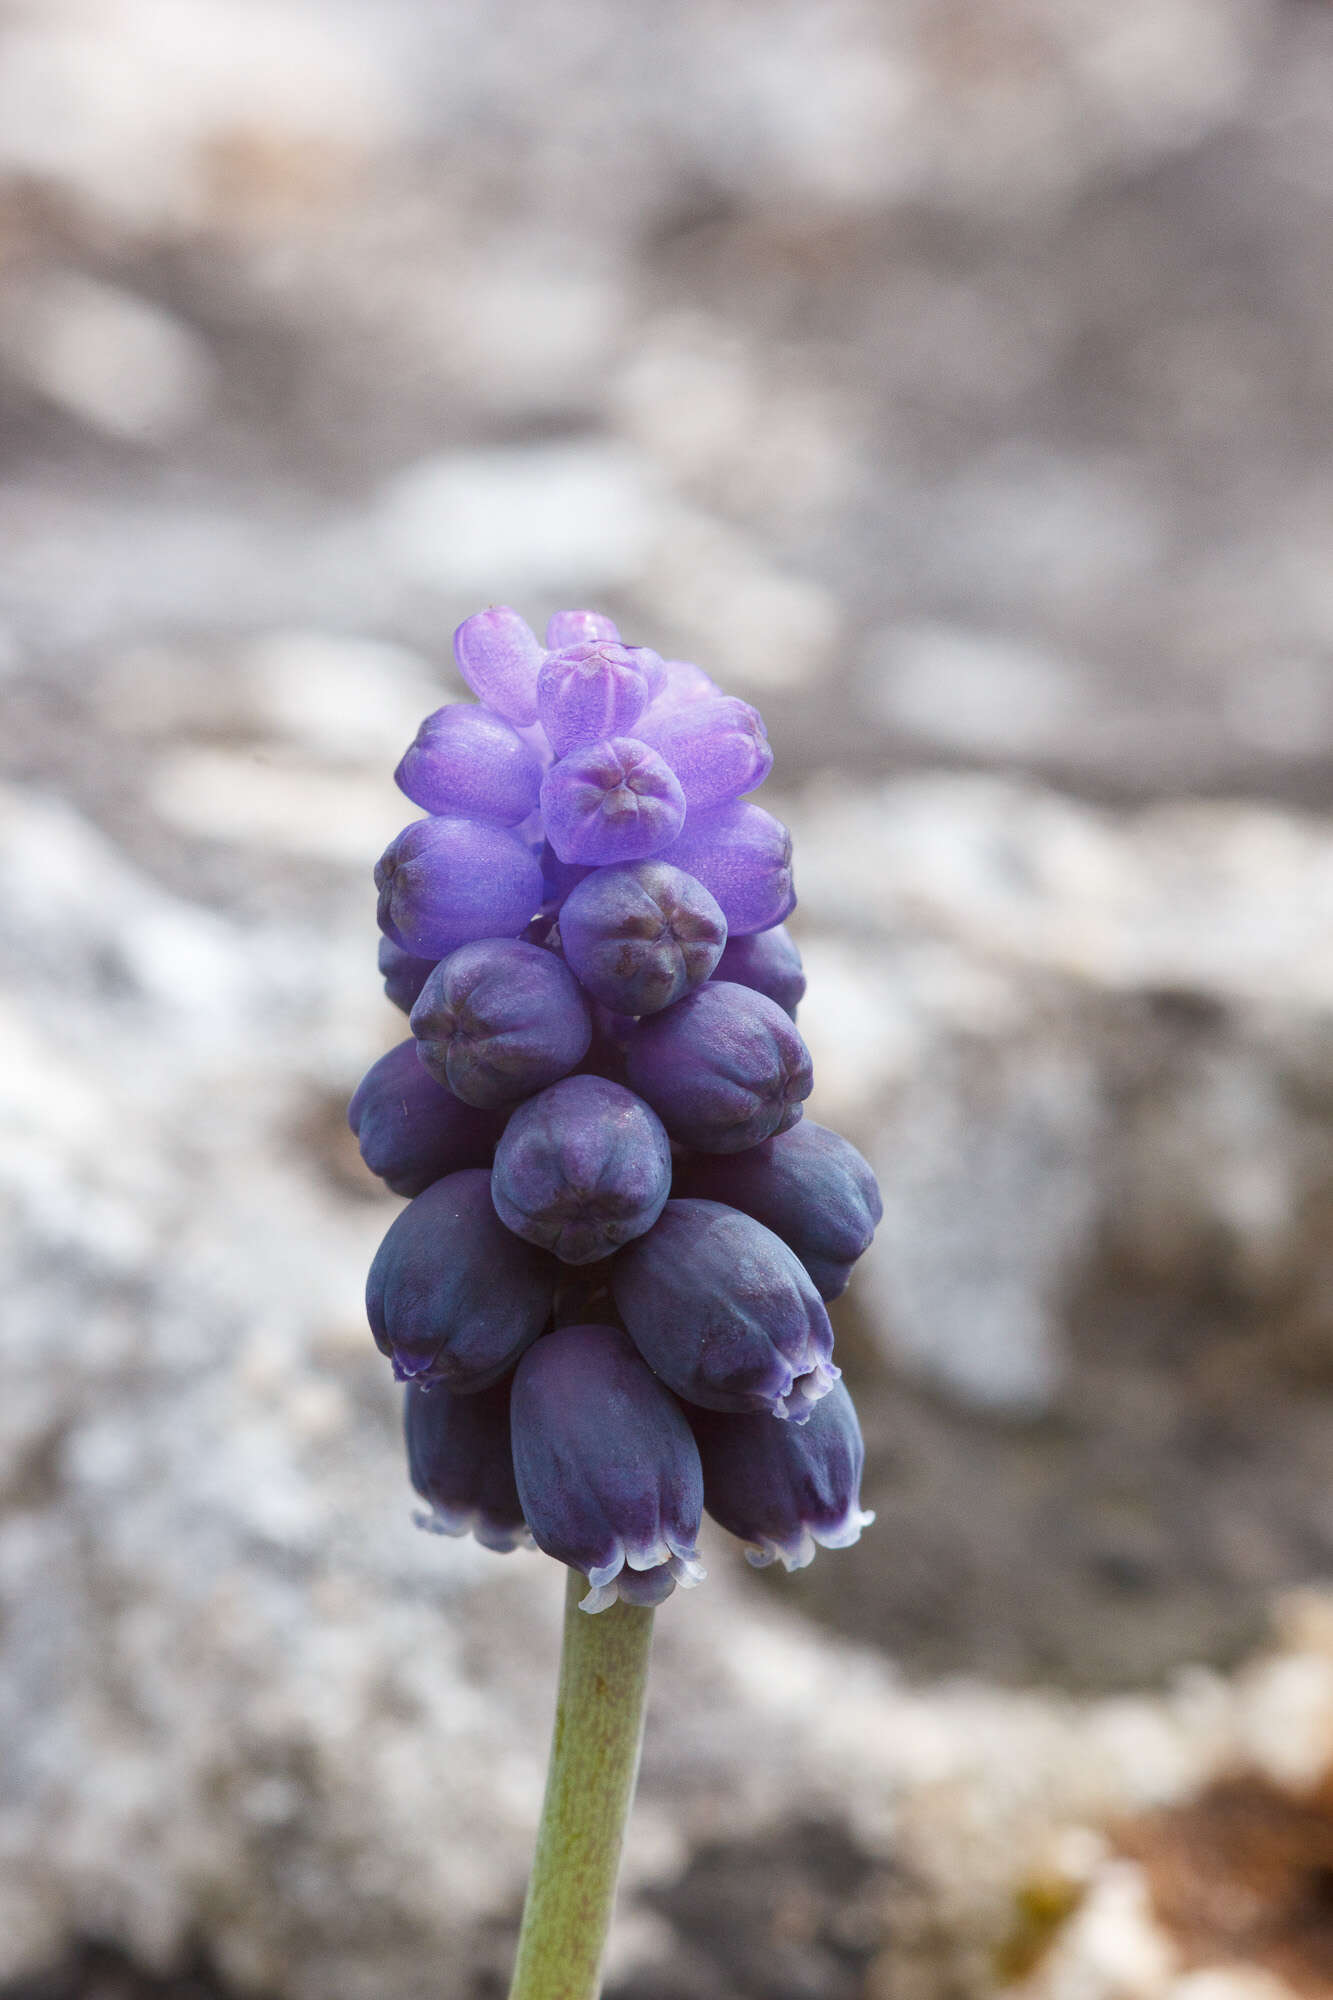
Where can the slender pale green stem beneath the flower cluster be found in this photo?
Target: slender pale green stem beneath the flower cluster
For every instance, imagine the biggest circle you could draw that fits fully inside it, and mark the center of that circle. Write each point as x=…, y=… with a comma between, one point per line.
x=589, y=1795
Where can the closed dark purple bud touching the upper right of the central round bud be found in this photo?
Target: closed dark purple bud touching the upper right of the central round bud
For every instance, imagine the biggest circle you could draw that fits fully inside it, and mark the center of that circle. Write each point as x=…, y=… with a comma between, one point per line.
x=724, y=1069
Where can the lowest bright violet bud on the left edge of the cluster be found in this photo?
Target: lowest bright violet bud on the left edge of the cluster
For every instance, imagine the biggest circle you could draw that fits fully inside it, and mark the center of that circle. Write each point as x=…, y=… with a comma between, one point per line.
x=447, y=881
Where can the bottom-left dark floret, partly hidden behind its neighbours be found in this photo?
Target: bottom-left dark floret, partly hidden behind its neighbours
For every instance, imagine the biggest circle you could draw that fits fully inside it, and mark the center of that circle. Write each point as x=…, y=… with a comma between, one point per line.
x=461, y=1463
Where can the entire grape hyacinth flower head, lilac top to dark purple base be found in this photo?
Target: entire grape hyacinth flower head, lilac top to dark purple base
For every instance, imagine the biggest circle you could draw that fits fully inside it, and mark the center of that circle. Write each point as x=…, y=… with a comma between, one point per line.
x=607, y=1293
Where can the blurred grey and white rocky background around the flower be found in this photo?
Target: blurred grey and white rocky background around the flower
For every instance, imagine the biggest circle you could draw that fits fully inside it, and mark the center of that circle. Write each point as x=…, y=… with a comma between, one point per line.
x=958, y=385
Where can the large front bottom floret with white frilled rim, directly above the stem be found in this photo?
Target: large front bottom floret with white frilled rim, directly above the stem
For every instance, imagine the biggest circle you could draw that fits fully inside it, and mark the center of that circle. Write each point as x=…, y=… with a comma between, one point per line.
x=607, y=1467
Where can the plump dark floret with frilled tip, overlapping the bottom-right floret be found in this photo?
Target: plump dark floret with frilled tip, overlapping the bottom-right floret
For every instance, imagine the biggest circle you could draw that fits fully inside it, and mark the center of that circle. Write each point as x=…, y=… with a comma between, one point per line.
x=726, y=1313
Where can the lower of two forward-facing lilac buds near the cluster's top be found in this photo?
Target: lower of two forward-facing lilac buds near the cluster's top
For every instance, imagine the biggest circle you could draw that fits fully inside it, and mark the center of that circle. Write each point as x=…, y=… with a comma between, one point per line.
x=611, y=803
